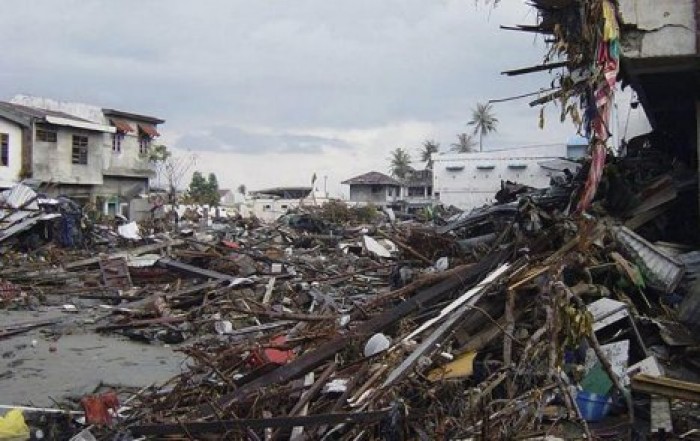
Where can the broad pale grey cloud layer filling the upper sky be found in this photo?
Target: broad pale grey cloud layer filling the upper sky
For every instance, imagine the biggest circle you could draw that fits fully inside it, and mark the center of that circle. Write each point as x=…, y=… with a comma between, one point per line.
x=311, y=63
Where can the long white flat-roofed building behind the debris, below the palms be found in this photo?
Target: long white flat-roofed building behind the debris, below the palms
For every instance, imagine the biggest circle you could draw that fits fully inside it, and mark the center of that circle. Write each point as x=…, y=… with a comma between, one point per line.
x=470, y=180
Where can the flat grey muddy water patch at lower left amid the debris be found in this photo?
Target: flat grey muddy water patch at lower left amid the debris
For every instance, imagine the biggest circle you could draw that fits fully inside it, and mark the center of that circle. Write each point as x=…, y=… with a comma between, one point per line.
x=70, y=360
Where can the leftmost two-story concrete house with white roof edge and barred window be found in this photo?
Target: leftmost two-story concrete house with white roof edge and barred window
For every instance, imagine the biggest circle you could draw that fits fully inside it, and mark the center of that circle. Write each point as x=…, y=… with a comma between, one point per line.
x=61, y=152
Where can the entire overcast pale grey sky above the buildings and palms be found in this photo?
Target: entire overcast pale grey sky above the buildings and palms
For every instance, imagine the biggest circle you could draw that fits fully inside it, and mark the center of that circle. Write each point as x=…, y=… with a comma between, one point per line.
x=267, y=92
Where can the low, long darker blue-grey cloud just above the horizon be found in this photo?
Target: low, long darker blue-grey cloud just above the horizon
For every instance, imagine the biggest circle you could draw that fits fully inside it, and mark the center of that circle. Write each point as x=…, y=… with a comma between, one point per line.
x=236, y=140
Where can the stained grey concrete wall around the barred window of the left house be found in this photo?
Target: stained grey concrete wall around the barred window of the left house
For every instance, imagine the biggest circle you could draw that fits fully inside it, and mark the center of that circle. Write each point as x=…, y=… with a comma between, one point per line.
x=52, y=161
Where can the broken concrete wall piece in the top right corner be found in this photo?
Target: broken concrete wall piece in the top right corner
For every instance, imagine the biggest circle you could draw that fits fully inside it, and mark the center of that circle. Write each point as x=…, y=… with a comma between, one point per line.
x=658, y=28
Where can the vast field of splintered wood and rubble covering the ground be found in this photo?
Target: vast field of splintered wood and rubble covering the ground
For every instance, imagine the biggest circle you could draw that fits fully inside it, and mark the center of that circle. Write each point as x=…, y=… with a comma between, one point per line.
x=513, y=320
